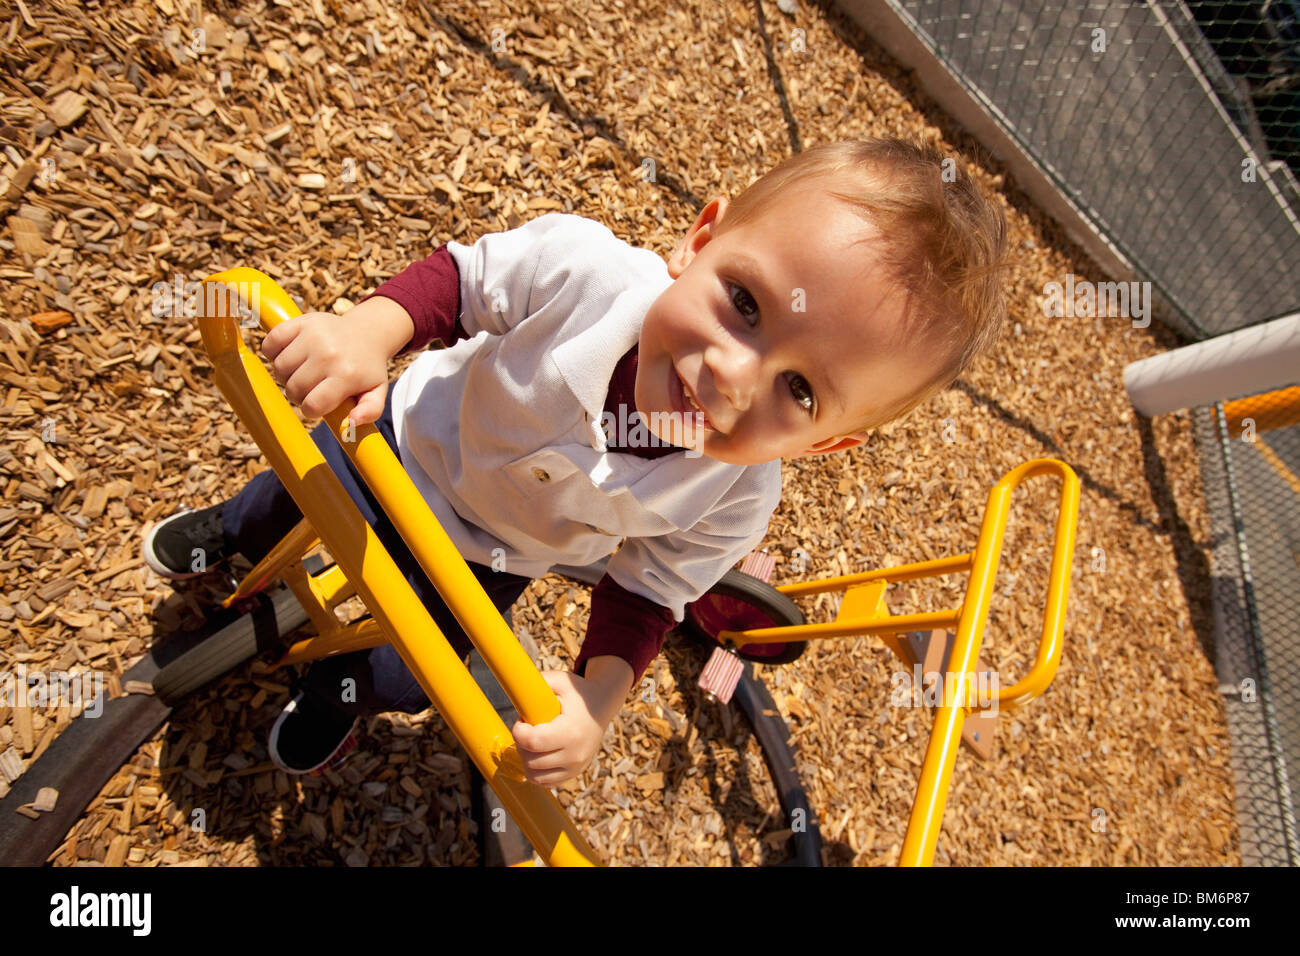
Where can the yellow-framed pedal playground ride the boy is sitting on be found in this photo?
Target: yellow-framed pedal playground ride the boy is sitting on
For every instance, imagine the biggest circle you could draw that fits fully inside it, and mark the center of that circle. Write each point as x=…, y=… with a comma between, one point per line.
x=744, y=618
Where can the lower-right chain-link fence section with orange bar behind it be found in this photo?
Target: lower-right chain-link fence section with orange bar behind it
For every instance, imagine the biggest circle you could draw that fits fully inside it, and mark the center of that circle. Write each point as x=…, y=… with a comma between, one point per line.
x=1251, y=474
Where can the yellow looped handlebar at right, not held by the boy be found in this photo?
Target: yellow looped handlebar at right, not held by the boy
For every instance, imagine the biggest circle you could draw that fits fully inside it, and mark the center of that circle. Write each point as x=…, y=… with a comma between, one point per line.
x=928, y=811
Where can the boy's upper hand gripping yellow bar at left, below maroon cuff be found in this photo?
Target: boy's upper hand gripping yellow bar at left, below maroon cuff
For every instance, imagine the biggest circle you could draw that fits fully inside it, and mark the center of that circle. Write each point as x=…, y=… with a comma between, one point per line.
x=322, y=358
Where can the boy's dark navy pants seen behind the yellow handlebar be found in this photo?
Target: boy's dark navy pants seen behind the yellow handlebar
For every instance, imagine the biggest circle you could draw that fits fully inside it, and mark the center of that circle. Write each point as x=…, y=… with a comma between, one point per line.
x=263, y=513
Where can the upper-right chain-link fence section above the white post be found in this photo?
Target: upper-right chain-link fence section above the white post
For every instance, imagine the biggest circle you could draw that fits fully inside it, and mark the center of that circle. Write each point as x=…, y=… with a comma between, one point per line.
x=1173, y=127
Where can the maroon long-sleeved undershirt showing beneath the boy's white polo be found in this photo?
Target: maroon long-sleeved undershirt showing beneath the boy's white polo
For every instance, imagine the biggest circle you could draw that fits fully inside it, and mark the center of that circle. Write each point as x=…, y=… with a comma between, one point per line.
x=622, y=625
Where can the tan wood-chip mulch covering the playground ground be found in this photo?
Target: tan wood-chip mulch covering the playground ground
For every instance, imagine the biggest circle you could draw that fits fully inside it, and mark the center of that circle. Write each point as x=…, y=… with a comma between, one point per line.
x=330, y=145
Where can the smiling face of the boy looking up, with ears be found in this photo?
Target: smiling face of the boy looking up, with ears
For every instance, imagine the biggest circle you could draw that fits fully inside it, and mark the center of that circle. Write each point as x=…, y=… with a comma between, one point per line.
x=785, y=332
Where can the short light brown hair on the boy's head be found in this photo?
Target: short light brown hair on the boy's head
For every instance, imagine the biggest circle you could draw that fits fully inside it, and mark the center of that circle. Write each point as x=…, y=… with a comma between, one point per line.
x=941, y=239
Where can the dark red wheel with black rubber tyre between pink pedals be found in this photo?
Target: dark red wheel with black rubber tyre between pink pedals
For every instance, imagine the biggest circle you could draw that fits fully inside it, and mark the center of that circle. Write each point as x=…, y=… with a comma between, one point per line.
x=743, y=603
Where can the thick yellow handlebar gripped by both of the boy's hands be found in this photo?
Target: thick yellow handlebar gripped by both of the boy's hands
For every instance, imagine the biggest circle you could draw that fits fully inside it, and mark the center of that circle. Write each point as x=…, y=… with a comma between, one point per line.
x=268, y=417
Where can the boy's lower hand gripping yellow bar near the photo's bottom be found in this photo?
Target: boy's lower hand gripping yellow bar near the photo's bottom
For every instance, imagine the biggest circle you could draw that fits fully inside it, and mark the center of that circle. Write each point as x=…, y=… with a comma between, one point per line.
x=562, y=749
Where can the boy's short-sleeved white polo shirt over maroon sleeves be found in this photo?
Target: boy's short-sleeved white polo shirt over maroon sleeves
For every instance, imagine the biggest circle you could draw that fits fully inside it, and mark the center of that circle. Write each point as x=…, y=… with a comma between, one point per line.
x=501, y=432
